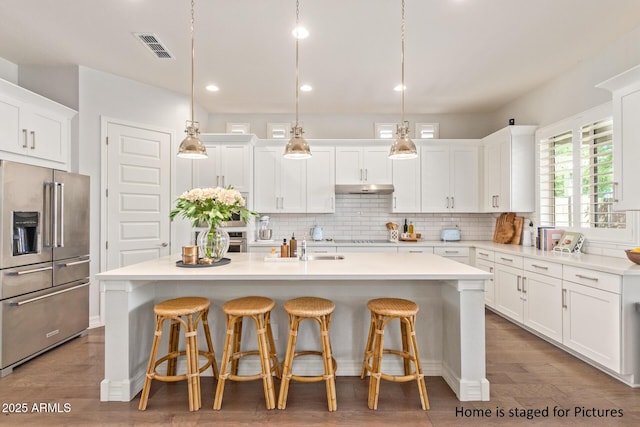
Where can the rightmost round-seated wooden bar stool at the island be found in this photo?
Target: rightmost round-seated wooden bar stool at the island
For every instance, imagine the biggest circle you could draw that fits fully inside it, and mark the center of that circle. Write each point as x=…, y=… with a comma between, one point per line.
x=383, y=310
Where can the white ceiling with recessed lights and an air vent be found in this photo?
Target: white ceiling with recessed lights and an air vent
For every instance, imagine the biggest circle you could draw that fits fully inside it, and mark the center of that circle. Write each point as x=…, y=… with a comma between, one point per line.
x=462, y=56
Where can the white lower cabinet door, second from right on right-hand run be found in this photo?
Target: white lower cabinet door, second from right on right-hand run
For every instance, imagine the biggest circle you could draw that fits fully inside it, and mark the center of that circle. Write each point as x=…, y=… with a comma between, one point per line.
x=543, y=304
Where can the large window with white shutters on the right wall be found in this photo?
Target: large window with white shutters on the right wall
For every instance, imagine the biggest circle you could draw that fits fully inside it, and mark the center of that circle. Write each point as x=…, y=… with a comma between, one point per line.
x=575, y=181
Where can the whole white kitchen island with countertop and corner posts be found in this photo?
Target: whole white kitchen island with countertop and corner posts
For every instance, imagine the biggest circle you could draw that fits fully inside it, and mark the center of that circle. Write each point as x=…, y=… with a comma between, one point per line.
x=449, y=325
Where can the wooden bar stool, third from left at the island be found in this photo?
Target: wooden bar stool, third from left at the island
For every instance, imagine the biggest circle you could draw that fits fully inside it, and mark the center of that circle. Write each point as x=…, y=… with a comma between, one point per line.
x=320, y=310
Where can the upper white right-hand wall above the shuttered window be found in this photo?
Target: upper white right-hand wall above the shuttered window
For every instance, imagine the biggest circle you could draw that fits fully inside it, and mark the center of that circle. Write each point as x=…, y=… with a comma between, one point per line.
x=573, y=91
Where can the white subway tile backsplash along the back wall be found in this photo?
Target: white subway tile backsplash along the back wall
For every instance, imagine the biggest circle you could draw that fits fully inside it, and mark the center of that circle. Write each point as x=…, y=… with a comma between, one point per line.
x=363, y=216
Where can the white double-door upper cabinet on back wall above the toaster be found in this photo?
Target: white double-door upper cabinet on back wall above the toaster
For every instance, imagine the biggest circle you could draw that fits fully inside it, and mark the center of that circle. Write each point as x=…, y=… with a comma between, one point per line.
x=449, y=177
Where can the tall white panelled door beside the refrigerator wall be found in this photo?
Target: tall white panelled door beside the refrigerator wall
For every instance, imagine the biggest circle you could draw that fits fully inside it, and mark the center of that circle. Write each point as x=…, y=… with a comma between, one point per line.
x=138, y=194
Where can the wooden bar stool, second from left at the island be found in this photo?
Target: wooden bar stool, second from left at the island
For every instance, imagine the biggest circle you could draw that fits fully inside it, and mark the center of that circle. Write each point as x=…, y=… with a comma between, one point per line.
x=258, y=309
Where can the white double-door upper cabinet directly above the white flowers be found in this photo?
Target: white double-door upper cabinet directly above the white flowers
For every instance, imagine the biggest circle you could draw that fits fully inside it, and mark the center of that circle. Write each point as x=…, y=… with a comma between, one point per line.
x=226, y=164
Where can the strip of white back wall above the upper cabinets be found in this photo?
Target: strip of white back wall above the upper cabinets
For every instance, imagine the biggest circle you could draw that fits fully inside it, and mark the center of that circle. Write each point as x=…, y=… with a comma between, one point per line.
x=357, y=126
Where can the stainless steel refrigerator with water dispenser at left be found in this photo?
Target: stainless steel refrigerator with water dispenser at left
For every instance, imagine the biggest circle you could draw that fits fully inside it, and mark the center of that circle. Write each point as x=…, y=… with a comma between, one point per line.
x=44, y=260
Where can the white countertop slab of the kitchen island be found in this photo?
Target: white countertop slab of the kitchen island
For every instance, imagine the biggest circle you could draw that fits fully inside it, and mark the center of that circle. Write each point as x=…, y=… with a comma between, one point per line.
x=354, y=266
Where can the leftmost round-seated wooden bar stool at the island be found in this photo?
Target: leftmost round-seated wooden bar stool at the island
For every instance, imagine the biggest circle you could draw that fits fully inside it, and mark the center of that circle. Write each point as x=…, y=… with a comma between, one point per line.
x=181, y=311
